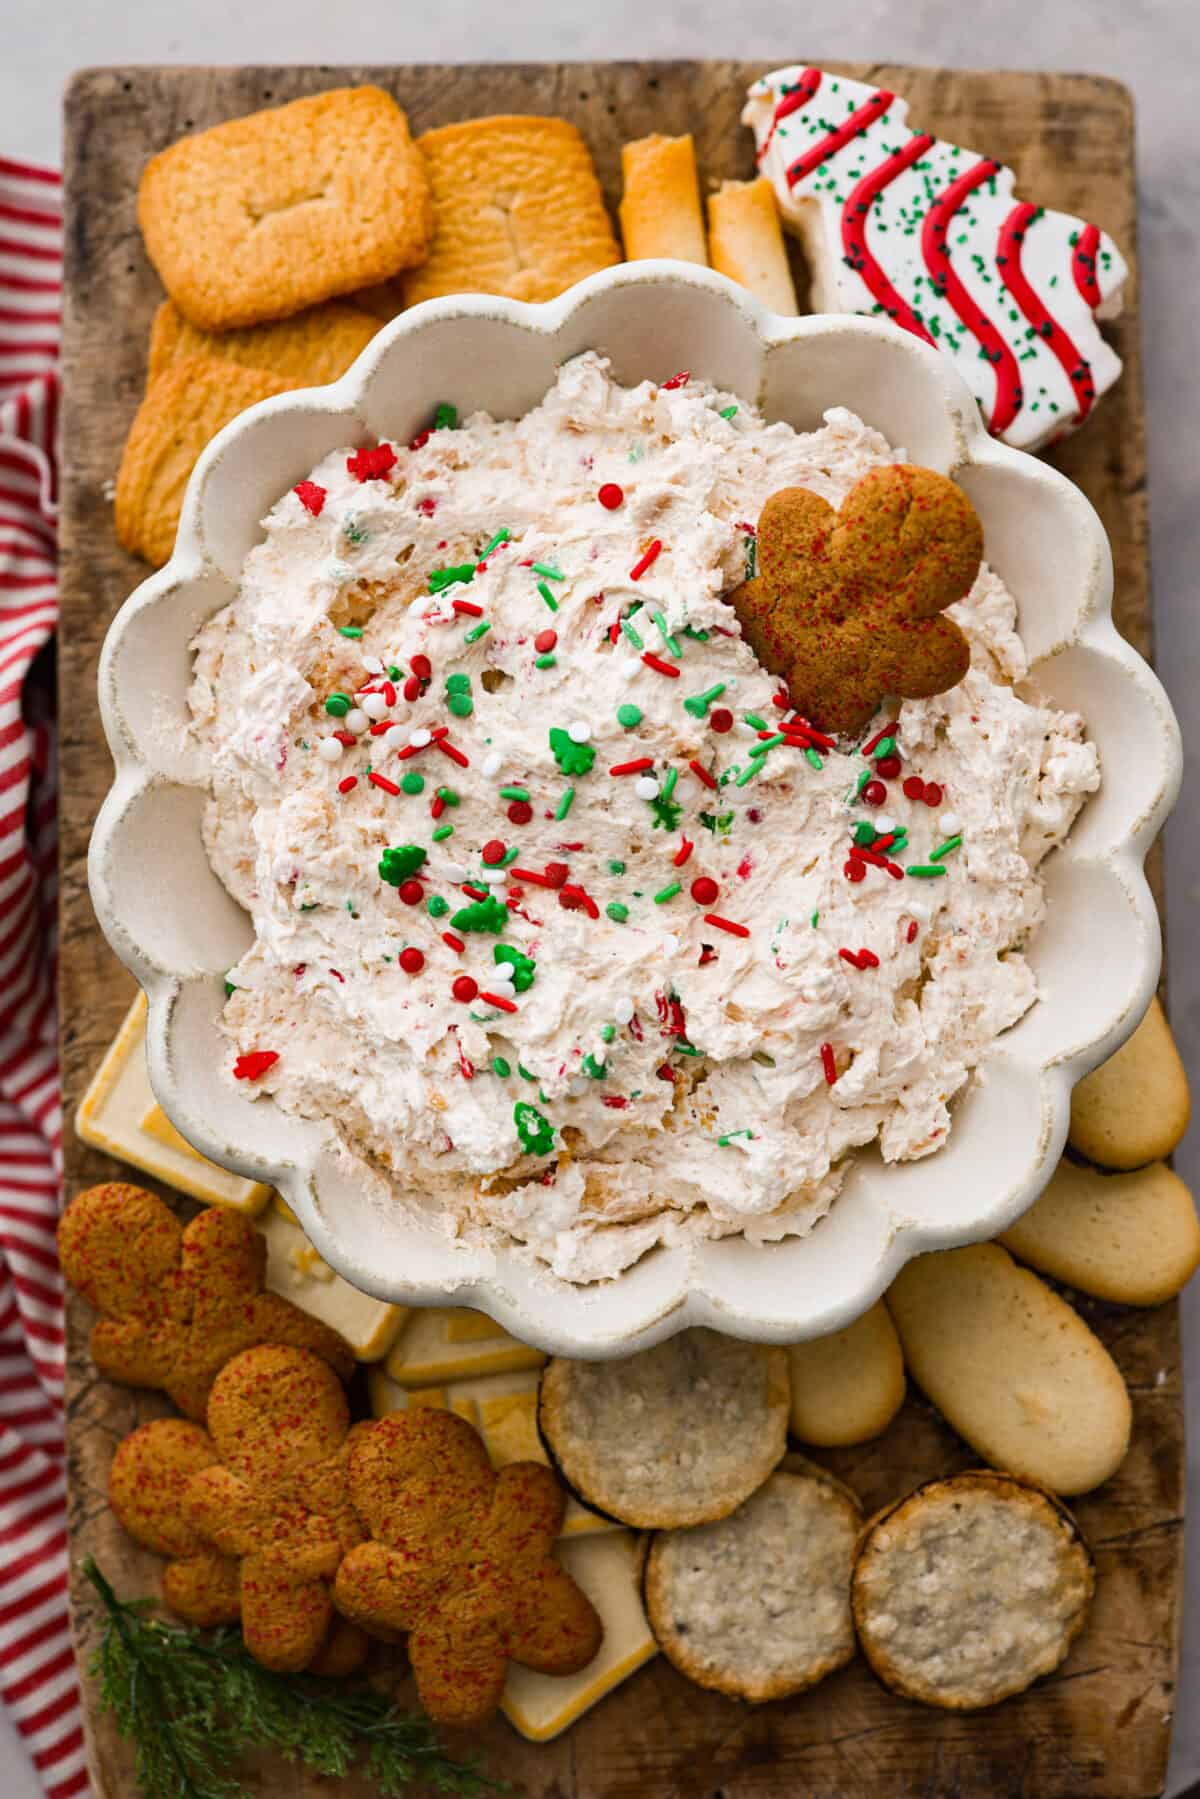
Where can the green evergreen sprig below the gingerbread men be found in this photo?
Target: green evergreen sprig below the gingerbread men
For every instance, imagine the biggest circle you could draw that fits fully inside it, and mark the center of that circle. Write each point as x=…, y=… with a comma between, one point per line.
x=193, y=1703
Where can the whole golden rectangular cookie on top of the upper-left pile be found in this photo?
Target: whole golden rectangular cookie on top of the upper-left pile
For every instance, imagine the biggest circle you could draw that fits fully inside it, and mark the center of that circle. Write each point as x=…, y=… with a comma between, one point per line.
x=267, y=215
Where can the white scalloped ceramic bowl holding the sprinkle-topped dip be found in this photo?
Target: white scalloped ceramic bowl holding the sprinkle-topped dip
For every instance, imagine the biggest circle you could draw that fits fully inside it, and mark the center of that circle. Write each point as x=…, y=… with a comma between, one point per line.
x=1097, y=958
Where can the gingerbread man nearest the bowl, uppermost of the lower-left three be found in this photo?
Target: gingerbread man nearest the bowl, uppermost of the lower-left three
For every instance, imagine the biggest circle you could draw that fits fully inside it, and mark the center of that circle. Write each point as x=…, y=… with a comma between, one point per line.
x=177, y=1303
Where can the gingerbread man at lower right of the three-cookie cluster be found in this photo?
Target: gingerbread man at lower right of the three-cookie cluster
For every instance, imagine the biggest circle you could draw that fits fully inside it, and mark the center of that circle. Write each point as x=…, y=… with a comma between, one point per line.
x=461, y=1561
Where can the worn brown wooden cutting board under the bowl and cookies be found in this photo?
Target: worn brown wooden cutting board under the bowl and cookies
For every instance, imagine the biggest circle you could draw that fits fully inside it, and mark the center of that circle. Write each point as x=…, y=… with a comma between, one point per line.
x=1102, y=1724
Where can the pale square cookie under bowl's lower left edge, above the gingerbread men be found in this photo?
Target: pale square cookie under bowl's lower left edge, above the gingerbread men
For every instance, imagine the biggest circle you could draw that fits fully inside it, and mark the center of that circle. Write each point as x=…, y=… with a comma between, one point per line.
x=121, y=1116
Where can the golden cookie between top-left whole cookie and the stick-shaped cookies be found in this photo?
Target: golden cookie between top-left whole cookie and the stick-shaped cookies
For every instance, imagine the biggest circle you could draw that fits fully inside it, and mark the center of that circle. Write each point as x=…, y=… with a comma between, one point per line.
x=519, y=211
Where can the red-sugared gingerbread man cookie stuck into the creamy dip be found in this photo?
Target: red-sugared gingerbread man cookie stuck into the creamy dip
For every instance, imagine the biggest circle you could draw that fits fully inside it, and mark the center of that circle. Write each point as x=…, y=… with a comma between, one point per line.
x=848, y=605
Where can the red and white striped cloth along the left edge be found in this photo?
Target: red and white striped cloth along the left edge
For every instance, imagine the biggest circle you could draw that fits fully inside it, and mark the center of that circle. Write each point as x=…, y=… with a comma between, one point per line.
x=39, y=1678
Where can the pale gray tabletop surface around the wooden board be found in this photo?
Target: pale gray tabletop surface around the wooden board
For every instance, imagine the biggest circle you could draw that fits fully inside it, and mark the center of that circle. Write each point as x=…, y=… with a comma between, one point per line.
x=1147, y=44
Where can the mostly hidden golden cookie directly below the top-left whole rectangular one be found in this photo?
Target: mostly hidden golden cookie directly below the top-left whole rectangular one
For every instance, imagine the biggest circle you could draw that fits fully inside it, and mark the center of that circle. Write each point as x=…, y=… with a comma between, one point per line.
x=312, y=348
